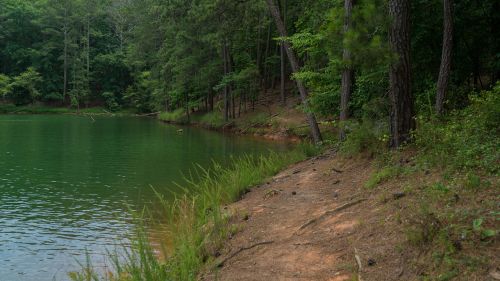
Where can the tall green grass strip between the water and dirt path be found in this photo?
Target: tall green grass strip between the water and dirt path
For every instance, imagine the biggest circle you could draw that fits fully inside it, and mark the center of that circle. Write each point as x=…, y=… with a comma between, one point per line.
x=197, y=222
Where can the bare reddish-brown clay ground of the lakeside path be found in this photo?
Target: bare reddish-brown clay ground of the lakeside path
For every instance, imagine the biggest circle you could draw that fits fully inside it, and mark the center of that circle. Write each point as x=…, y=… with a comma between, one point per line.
x=316, y=221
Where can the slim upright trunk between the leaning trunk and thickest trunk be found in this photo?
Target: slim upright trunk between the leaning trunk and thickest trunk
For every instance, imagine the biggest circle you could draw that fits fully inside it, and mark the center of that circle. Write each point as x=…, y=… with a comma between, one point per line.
x=347, y=73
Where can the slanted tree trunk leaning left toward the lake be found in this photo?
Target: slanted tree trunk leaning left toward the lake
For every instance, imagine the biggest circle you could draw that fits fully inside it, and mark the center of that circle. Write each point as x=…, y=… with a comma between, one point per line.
x=295, y=68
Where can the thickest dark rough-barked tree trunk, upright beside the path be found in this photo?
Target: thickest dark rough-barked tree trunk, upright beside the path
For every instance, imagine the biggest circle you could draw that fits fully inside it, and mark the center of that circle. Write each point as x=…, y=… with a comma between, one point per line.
x=402, y=121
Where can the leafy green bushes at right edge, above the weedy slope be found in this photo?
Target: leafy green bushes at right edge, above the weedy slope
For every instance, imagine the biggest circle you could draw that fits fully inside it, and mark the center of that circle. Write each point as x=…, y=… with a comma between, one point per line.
x=466, y=139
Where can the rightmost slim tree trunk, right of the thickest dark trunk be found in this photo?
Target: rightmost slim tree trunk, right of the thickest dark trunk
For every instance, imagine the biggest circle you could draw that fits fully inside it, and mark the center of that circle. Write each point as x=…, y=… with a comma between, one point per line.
x=444, y=70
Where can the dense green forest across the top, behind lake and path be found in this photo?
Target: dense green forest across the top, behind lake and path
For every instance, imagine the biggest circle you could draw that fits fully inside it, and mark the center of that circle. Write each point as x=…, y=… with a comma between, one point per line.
x=349, y=59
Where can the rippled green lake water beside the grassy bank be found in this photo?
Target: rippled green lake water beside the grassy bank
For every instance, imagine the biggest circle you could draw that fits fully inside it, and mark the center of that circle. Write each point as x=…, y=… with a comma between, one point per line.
x=69, y=184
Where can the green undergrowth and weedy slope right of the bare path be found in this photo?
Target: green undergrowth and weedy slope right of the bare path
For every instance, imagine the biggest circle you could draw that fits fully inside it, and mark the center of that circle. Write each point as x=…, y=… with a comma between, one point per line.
x=452, y=220
